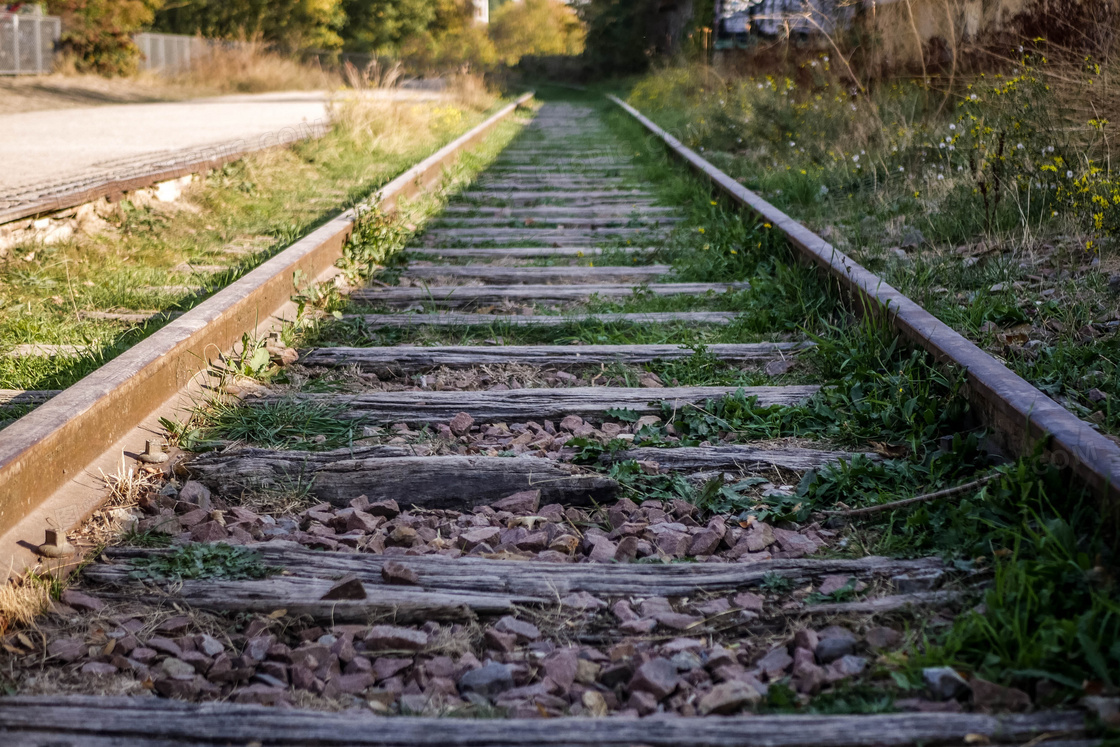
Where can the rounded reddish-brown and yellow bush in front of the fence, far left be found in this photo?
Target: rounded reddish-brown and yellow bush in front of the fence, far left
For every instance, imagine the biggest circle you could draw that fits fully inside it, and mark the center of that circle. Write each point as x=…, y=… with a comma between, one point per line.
x=99, y=33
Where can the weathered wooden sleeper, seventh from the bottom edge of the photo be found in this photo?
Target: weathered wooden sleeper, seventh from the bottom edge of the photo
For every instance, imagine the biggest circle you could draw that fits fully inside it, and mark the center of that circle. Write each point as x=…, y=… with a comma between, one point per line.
x=464, y=296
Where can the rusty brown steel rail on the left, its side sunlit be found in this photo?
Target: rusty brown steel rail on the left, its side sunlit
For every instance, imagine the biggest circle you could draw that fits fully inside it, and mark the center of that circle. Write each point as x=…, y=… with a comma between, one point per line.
x=52, y=446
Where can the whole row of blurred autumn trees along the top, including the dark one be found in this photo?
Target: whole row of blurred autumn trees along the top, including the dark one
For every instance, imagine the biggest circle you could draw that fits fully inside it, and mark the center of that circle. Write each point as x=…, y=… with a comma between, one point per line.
x=620, y=36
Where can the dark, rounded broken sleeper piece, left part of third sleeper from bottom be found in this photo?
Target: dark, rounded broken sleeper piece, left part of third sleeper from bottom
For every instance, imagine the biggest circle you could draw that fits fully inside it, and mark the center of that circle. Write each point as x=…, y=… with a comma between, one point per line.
x=456, y=482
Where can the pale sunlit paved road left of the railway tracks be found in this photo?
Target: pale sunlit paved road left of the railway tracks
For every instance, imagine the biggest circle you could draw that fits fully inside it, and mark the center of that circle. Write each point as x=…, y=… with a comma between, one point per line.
x=50, y=148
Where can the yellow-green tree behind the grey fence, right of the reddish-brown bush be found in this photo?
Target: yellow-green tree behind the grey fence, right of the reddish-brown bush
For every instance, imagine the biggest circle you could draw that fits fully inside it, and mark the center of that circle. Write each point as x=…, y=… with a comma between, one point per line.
x=291, y=25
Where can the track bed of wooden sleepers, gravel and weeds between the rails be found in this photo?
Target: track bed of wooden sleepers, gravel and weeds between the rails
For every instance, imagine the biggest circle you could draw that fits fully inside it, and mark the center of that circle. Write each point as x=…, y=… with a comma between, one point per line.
x=479, y=519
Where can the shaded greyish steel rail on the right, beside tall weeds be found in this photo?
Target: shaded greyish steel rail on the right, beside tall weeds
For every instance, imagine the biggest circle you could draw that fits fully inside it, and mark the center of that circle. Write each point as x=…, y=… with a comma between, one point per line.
x=1022, y=415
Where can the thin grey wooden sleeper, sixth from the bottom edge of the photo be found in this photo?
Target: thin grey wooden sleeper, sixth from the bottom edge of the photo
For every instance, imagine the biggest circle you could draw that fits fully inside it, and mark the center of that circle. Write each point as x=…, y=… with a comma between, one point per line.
x=453, y=320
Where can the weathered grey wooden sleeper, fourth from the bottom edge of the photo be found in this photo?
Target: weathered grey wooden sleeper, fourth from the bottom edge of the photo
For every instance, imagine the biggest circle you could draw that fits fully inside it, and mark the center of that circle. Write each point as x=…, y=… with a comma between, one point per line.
x=524, y=405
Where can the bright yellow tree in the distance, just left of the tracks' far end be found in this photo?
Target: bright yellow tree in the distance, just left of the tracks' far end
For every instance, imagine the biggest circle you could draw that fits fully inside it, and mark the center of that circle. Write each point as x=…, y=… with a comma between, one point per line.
x=536, y=27
